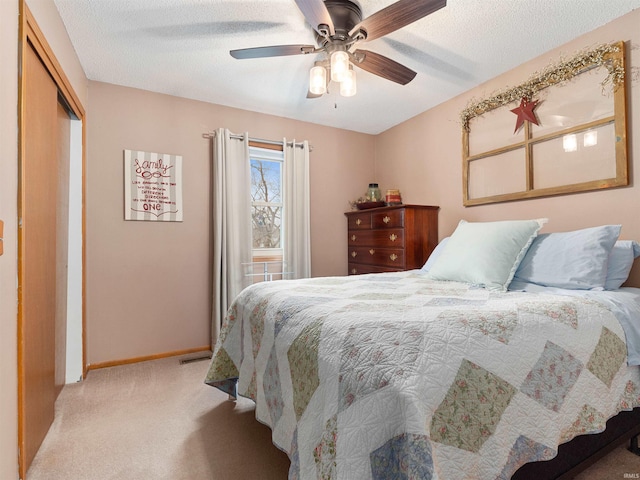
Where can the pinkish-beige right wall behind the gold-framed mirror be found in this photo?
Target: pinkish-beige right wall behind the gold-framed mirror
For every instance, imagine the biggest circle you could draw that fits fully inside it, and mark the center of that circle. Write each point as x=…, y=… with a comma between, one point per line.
x=423, y=156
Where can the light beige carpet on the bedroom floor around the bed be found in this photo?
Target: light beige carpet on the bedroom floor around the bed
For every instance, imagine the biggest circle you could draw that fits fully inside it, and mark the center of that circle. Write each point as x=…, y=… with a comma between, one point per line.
x=157, y=420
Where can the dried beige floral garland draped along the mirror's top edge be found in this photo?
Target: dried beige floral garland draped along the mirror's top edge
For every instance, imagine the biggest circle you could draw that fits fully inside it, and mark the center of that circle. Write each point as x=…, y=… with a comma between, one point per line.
x=553, y=74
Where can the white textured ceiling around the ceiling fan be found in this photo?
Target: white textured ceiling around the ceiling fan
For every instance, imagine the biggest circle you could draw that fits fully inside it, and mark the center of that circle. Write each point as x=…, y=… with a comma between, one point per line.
x=181, y=47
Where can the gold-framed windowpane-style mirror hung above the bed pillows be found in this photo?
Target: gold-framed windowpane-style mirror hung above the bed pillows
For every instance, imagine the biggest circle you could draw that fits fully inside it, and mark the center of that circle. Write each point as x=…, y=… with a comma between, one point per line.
x=533, y=154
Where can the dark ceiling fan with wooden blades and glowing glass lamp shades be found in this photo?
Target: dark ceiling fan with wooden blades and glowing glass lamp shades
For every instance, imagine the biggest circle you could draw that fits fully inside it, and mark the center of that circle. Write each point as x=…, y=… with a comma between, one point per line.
x=339, y=27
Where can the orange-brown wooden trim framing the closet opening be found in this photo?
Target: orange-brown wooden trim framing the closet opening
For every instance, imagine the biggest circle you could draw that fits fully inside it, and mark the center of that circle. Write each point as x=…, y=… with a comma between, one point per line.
x=30, y=36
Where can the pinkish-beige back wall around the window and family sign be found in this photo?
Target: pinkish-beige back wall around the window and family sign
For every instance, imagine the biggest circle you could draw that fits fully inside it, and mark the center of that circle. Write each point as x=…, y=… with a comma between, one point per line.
x=149, y=284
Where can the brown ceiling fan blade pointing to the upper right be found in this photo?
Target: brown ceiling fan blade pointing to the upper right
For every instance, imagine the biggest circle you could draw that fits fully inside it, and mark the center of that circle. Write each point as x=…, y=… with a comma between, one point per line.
x=396, y=16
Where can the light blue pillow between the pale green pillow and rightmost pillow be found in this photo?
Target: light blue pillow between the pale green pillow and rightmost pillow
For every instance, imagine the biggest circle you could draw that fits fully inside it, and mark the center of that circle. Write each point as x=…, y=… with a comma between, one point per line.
x=575, y=260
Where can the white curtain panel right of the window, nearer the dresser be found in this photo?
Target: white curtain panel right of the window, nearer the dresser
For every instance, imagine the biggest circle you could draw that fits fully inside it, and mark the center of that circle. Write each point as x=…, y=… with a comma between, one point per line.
x=297, y=229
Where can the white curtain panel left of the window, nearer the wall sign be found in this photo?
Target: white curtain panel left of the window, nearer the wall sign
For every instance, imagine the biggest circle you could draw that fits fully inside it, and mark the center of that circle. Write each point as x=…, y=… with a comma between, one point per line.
x=231, y=221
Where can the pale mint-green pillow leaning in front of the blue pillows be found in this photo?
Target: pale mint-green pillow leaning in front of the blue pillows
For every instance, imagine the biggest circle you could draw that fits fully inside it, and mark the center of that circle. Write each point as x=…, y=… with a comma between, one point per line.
x=485, y=254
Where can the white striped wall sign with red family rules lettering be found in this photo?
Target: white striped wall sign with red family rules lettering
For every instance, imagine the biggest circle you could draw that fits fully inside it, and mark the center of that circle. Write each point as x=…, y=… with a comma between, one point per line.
x=152, y=186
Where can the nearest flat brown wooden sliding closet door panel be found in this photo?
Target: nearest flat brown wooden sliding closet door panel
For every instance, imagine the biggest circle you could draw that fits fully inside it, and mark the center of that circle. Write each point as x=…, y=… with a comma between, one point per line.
x=38, y=256
